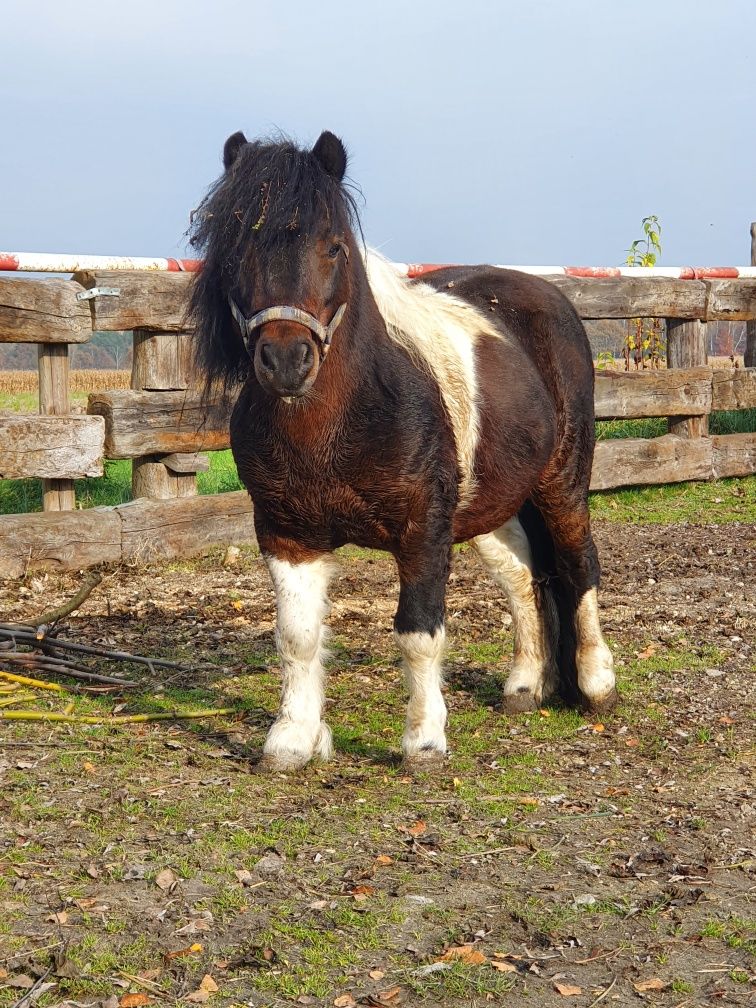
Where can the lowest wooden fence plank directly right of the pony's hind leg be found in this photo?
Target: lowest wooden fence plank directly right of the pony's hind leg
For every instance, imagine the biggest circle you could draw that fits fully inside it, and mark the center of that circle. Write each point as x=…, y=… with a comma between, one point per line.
x=644, y=461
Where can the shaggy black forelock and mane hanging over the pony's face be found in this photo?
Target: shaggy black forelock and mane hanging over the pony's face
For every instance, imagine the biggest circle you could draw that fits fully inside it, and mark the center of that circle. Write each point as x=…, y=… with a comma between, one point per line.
x=274, y=193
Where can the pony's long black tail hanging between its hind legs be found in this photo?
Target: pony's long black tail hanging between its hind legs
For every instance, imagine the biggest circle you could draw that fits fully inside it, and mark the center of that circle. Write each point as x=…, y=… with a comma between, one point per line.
x=557, y=601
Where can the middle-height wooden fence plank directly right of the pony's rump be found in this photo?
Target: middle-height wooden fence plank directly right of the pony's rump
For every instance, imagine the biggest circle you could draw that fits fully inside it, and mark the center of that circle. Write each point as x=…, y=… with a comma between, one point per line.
x=628, y=395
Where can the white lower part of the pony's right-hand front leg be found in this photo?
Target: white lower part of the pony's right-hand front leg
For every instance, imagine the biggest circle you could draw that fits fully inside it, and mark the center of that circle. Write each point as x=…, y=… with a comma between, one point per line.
x=427, y=712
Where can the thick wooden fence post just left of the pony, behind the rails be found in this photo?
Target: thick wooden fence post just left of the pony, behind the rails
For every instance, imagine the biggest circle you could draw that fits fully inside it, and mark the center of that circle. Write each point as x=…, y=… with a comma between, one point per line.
x=163, y=363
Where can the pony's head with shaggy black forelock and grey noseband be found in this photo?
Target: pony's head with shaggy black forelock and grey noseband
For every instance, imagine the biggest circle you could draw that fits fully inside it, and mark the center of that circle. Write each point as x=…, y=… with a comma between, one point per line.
x=276, y=232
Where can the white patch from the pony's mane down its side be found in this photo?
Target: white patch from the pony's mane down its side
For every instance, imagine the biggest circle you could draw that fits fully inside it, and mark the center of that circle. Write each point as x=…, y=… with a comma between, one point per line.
x=439, y=332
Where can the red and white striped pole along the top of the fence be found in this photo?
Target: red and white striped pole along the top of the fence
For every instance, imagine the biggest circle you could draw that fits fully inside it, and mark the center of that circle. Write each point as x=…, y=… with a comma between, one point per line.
x=53, y=263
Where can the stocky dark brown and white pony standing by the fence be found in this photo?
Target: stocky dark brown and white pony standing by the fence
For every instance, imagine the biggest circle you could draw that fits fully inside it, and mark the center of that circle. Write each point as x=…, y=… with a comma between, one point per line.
x=398, y=416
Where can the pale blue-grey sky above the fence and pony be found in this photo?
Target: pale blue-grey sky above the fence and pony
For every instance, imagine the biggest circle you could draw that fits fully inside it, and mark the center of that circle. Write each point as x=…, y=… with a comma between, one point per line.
x=523, y=133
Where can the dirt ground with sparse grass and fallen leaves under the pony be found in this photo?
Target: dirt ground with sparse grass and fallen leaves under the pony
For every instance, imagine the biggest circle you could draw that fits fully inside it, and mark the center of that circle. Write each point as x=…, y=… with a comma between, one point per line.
x=554, y=860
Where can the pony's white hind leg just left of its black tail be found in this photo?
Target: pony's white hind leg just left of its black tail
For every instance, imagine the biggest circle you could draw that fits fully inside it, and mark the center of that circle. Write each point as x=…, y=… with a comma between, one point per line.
x=507, y=555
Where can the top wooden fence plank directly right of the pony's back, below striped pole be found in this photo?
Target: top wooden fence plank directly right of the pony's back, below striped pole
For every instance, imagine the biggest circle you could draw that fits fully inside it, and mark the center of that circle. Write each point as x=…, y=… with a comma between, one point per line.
x=631, y=298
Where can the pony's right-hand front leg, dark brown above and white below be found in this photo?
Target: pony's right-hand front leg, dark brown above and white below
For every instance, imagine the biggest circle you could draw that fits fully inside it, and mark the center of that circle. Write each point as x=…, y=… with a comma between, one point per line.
x=421, y=636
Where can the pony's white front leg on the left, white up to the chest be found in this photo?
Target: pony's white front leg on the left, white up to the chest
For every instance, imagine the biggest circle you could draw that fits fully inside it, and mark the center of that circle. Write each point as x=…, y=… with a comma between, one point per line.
x=299, y=734
